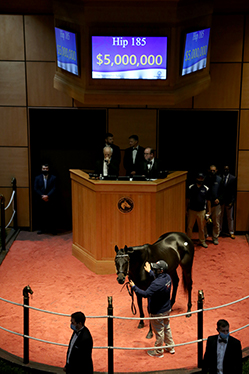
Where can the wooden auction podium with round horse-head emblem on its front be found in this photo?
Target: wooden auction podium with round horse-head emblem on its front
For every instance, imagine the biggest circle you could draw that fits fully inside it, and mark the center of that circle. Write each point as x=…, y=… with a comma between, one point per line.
x=108, y=213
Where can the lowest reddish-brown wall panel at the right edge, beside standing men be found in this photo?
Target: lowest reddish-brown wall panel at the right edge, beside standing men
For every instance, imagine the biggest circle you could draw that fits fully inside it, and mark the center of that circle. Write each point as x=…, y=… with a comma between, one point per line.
x=242, y=211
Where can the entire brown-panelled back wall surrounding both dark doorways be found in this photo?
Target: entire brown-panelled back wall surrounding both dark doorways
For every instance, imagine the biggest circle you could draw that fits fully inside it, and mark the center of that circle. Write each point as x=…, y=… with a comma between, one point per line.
x=27, y=66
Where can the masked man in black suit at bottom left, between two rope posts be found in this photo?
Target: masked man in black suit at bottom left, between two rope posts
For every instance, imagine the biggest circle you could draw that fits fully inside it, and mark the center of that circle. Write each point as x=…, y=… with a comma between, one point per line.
x=79, y=353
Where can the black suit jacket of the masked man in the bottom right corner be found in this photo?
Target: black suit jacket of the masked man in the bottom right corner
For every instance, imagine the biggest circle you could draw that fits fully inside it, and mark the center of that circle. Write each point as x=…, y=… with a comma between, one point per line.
x=232, y=363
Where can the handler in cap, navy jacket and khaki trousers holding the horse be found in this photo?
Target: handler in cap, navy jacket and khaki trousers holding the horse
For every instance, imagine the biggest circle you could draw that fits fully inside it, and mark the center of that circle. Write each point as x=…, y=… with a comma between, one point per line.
x=158, y=294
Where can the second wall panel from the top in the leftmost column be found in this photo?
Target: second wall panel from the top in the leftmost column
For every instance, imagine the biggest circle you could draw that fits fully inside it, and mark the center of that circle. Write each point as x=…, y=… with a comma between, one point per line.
x=12, y=83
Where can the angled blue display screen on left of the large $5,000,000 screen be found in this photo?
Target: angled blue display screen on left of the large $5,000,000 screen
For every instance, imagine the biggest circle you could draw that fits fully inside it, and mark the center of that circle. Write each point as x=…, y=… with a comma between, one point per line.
x=66, y=51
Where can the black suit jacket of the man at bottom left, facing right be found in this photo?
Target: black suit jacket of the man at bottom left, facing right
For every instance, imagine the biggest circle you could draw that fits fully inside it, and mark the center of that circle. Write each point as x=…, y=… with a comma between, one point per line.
x=80, y=360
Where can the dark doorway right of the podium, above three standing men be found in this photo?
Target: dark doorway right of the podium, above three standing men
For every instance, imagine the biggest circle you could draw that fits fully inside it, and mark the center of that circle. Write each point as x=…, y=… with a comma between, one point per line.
x=194, y=140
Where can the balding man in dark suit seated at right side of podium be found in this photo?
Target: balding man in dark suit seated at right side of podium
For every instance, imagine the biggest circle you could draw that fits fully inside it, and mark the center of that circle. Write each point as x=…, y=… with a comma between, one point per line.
x=151, y=166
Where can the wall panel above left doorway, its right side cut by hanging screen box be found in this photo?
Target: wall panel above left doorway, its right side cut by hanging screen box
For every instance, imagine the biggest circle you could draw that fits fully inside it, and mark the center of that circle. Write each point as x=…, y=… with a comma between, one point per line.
x=41, y=92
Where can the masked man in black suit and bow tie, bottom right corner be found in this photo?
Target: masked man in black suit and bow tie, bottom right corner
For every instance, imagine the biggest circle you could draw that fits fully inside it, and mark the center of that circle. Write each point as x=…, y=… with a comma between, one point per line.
x=223, y=352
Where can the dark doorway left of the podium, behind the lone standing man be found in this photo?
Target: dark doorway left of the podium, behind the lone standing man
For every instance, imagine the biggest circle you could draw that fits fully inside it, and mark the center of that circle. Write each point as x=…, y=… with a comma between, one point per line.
x=65, y=139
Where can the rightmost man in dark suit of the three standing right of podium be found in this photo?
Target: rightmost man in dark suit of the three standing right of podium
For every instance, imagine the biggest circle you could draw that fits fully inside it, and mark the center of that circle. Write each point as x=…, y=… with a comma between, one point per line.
x=229, y=182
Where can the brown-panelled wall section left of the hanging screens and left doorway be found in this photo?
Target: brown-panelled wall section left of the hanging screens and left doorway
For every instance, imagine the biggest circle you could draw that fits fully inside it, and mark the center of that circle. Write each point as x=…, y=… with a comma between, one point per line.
x=27, y=65
